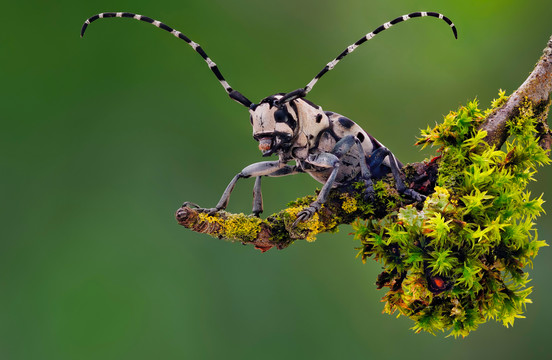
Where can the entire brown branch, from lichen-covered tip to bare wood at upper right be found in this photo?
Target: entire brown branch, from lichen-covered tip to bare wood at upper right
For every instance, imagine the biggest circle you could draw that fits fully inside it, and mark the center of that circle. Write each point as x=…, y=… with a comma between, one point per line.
x=347, y=204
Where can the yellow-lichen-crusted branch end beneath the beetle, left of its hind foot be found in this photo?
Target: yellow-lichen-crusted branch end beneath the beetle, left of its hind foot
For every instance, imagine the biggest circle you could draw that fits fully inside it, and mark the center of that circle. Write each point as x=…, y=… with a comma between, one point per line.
x=344, y=205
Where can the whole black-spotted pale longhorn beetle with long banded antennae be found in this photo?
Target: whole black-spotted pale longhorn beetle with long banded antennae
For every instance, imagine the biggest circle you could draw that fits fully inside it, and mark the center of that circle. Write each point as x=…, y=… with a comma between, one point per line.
x=331, y=148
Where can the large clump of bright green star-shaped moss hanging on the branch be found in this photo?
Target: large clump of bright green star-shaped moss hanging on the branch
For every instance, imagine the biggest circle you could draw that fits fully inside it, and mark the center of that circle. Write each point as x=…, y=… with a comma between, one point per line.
x=460, y=260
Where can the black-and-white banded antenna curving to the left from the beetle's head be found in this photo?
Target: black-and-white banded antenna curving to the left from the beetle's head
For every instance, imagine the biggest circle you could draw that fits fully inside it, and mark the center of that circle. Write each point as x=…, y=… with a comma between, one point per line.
x=235, y=95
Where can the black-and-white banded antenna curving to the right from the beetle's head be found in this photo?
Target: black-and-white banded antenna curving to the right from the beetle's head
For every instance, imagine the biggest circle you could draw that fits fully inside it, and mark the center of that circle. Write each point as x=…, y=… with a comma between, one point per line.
x=304, y=91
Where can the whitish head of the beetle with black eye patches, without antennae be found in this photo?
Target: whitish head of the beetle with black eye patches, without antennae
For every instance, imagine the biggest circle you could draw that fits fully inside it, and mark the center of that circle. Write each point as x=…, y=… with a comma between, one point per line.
x=274, y=125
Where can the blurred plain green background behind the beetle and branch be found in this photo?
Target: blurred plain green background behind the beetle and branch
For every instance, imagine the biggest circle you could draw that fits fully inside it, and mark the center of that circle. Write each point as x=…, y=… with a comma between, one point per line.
x=103, y=138
